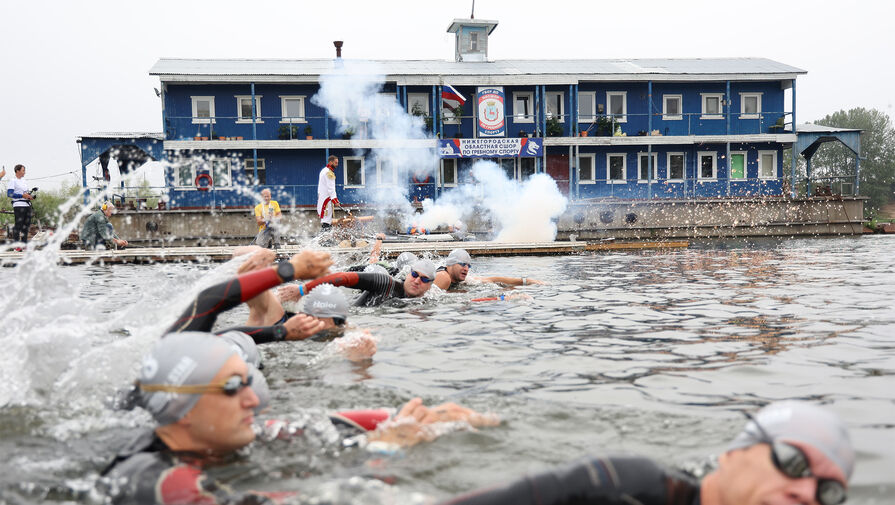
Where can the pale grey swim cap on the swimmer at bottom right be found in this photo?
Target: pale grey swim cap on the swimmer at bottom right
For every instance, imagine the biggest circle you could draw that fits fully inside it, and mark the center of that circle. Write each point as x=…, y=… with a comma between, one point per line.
x=802, y=424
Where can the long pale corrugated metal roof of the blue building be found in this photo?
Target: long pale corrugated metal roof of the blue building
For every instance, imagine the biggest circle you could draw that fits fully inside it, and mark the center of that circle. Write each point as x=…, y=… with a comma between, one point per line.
x=627, y=67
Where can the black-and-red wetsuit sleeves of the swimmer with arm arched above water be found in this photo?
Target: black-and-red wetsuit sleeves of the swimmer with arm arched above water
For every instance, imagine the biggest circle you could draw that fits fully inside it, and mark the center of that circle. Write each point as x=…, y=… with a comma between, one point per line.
x=202, y=313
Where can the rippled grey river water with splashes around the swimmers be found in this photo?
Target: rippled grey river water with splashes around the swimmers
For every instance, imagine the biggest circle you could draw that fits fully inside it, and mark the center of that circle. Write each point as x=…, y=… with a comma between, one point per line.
x=646, y=352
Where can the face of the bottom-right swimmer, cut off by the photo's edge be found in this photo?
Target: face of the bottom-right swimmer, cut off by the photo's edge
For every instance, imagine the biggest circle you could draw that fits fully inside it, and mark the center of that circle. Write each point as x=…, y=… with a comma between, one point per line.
x=748, y=477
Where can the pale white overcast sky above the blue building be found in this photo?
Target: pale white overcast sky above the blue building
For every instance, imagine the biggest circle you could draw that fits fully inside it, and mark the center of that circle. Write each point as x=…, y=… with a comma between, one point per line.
x=75, y=68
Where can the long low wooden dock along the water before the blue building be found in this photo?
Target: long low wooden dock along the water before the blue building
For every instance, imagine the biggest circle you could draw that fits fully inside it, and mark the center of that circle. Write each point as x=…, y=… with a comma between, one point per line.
x=148, y=255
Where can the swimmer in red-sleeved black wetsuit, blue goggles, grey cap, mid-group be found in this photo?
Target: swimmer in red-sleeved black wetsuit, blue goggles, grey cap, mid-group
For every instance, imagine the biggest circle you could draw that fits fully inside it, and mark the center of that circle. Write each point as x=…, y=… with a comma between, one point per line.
x=377, y=287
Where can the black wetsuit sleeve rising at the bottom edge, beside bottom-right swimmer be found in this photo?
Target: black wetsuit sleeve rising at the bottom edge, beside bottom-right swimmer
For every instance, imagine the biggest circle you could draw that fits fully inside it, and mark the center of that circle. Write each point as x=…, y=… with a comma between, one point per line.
x=597, y=481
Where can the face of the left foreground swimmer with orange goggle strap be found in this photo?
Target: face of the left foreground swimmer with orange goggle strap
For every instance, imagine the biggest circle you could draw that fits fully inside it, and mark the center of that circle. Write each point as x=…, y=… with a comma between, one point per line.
x=222, y=423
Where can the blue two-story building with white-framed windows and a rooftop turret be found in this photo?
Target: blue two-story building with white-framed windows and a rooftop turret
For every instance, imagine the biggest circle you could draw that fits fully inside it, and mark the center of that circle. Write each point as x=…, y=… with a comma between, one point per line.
x=608, y=130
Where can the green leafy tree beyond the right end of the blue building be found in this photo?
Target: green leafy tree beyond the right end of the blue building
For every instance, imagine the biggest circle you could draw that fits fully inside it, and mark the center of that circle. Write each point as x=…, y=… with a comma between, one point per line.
x=877, y=151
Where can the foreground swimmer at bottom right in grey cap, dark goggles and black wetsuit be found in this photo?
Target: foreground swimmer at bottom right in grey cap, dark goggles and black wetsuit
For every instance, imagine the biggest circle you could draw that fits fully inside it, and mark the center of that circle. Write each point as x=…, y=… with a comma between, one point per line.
x=790, y=452
